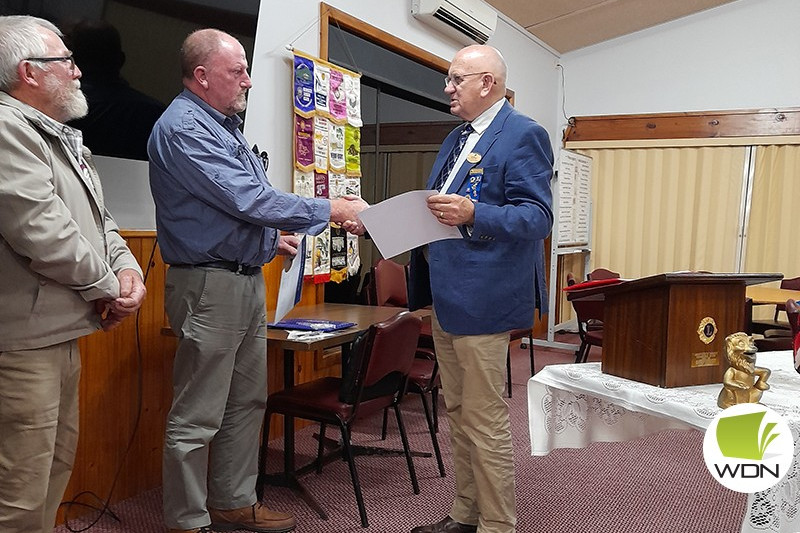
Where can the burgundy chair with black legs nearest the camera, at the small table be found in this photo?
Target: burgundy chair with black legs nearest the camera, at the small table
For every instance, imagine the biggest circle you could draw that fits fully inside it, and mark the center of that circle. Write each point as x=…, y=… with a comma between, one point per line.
x=375, y=379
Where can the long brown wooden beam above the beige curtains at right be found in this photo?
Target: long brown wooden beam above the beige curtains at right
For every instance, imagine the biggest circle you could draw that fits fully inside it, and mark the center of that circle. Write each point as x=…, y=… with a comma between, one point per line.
x=689, y=125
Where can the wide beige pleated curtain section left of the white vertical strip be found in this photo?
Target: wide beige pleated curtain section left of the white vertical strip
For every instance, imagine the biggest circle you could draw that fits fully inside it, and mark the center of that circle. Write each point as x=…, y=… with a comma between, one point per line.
x=665, y=209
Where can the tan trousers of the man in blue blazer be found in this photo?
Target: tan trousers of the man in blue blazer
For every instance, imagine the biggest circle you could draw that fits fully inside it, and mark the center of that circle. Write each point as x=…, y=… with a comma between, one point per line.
x=473, y=369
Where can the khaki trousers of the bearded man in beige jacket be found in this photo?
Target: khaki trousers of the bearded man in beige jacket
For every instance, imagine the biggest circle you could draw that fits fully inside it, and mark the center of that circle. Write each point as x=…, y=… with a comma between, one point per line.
x=38, y=434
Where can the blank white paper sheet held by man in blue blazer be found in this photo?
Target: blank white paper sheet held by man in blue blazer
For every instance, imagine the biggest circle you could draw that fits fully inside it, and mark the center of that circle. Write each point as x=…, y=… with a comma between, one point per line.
x=404, y=222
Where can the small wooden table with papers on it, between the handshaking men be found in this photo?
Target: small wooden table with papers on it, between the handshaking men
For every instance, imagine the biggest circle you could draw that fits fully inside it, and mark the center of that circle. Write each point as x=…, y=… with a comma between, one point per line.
x=363, y=316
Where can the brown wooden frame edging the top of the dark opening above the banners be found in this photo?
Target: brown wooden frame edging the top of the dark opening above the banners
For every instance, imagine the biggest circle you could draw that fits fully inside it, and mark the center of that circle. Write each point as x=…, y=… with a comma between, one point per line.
x=330, y=15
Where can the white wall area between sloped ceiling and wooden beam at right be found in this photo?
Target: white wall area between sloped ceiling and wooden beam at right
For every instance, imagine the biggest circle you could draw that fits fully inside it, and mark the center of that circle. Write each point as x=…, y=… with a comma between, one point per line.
x=742, y=55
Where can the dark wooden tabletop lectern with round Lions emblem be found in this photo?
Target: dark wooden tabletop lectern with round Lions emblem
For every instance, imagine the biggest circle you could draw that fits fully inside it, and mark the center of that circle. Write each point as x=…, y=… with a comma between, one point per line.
x=669, y=330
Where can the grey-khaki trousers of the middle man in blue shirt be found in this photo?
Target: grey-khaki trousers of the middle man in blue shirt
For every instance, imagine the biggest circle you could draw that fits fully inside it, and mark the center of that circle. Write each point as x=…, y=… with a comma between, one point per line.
x=219, y=393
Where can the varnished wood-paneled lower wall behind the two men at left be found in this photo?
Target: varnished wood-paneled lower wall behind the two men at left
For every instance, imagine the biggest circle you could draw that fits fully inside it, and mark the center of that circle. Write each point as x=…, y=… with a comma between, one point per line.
x=128, y=377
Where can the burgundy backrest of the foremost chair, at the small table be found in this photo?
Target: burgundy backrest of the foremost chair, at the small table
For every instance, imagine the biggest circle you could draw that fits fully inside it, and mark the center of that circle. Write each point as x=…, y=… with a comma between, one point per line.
x=381, y=360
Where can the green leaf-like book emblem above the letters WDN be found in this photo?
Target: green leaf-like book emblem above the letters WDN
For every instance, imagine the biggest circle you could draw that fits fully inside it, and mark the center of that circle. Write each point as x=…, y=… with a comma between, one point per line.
x=739, y=436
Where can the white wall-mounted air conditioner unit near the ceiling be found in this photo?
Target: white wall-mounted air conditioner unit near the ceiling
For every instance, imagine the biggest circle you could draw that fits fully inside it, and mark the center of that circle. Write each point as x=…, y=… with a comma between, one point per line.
x=467, y=21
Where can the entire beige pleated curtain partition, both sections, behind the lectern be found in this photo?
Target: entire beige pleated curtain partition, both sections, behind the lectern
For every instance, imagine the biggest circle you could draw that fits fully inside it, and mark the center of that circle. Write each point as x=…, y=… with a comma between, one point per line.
x=662, y=209
